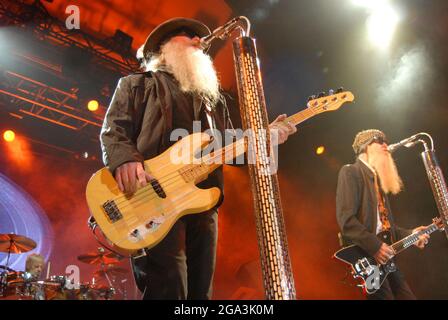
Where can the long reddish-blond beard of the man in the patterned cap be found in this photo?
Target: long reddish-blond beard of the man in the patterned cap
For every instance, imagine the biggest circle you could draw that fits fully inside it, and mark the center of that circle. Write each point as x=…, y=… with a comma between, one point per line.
x=387, y=171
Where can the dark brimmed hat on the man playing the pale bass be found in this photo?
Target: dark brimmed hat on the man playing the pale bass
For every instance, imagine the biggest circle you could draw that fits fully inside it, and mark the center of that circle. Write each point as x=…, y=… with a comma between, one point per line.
x=169, y=29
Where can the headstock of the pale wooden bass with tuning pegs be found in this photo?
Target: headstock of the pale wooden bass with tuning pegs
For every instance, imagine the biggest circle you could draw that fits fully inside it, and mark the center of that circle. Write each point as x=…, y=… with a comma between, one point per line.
x=329, y=102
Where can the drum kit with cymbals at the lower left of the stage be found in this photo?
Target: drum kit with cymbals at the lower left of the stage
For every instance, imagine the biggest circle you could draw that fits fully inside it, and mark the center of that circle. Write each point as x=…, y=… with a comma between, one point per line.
x=18, y=285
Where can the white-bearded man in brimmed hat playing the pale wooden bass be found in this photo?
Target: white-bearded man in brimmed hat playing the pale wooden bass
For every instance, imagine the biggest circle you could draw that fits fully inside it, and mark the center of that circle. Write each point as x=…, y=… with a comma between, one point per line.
x=180, y=86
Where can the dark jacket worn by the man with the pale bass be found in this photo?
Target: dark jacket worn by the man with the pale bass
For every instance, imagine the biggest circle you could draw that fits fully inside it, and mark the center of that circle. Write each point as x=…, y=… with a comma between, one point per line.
x=139, y=120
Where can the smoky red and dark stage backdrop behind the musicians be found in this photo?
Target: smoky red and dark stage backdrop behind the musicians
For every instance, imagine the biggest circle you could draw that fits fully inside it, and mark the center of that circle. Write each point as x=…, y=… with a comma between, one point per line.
x=305, y=47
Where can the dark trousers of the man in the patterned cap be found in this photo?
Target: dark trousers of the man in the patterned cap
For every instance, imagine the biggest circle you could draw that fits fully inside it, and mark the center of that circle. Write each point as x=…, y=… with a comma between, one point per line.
x=394, y=287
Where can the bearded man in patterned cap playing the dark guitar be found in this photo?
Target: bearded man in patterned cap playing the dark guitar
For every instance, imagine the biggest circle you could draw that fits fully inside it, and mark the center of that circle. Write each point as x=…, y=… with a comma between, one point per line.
x=363, y=210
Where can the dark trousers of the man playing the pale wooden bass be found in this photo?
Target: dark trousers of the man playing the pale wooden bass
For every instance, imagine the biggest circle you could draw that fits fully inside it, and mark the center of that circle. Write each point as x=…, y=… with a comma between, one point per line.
x=182, y=265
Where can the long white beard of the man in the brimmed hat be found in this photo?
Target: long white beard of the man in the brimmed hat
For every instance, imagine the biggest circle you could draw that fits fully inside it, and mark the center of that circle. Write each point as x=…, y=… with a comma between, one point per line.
x=193, y=69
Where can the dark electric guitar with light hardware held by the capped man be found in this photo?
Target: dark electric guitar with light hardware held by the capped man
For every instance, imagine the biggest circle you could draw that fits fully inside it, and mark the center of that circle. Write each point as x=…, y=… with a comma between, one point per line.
x=371, y=273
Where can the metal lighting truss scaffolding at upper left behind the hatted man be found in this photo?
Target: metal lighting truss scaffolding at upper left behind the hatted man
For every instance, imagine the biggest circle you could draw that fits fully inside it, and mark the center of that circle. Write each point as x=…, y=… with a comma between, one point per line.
x=25, y=94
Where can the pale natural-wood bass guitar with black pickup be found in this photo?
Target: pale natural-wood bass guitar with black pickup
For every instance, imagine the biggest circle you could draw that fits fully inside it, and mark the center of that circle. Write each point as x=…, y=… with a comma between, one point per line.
x=140, y=220
